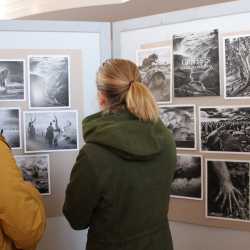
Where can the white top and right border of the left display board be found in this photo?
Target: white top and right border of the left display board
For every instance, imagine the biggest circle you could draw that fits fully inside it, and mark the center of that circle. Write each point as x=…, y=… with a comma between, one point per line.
x=92, y=38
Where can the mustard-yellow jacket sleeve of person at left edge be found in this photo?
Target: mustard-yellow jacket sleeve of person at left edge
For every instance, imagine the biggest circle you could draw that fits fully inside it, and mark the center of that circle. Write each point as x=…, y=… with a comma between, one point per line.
x=22, y=214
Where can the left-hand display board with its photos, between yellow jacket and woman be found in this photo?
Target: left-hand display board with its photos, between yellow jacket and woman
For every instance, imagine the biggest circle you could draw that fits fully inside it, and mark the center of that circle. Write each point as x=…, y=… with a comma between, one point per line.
x=47, y=88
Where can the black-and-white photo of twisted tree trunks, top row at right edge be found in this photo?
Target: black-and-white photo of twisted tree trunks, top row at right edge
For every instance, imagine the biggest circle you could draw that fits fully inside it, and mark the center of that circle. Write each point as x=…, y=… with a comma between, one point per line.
x=237, y=67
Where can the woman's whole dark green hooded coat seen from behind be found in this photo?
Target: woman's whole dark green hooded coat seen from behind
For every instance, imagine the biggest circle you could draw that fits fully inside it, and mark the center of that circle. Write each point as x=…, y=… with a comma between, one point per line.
x=119, y=186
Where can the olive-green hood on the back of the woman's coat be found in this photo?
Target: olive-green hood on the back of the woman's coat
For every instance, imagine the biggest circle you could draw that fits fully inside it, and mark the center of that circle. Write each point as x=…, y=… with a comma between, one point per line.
x=125, y=134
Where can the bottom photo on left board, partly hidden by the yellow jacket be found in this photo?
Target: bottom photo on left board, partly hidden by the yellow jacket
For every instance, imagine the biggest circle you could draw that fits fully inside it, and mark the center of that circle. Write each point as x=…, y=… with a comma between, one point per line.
x=35, y=169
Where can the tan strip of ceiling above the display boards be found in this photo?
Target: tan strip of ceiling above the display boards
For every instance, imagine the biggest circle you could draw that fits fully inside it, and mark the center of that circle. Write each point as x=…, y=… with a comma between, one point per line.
x=126, y=10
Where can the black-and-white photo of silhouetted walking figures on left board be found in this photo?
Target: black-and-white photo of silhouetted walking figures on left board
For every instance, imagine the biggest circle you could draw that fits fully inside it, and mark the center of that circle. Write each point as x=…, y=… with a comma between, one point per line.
x=46, y=131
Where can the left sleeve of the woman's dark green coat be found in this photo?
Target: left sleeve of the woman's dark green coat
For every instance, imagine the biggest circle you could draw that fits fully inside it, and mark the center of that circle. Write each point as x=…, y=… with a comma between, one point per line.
x=82, y=193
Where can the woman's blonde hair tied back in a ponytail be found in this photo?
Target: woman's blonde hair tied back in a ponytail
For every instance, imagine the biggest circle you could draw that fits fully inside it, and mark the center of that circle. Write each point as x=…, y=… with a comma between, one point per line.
x=120, y=81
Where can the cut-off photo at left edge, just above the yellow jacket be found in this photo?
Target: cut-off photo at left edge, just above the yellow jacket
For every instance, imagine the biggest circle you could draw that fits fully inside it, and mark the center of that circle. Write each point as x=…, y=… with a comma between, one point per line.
x=10, y=126
